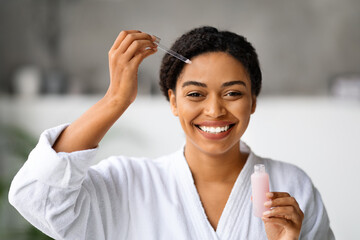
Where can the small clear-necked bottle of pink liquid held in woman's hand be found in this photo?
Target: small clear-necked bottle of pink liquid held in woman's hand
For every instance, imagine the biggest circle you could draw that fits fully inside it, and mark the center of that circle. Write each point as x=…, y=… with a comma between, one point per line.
x=260, y=186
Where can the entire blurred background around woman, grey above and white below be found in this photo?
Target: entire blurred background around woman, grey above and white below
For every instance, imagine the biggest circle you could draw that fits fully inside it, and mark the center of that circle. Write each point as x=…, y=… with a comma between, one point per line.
x=53, y=66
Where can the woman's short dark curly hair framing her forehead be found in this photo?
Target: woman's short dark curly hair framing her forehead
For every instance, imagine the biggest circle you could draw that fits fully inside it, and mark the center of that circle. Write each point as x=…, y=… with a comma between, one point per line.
x=209, y=39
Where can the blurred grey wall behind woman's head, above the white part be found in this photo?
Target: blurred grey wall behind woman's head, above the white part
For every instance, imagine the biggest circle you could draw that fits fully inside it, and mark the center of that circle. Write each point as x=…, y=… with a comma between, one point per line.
x=301, y=44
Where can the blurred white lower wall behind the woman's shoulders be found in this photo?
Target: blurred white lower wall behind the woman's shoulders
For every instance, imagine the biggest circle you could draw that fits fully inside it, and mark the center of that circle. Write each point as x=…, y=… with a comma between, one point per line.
x=319, y=134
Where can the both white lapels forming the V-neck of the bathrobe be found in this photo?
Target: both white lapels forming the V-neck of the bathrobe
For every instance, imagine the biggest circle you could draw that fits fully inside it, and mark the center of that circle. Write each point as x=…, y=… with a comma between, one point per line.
x=232, y=217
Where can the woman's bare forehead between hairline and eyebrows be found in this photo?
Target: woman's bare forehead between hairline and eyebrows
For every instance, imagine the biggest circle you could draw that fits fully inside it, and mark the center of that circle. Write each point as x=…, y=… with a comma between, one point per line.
x=214, y=67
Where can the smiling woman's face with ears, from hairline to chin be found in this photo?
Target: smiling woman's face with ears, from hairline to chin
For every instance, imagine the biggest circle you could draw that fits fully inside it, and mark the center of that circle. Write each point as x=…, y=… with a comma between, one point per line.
x=213, y=101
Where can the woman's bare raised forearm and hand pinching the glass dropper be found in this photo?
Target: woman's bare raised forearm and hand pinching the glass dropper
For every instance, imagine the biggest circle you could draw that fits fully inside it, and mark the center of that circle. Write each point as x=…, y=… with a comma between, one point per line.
x=125, y=56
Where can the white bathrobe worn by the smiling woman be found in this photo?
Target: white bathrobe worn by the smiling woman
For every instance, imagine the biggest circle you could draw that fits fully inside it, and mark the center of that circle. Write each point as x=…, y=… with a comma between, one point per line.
x=68, y=197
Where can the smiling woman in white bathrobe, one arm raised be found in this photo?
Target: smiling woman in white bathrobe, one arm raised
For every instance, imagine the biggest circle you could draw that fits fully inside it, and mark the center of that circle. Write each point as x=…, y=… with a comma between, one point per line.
x=200, y=192
